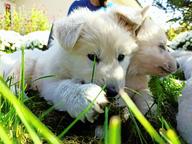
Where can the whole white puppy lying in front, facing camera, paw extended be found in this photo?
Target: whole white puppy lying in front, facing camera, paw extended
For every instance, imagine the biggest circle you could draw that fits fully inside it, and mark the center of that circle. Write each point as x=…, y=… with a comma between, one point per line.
x=80, y=39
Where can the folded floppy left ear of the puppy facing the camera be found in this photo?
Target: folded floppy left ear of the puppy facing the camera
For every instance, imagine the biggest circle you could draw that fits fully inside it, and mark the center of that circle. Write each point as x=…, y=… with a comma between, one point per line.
x=67, y=33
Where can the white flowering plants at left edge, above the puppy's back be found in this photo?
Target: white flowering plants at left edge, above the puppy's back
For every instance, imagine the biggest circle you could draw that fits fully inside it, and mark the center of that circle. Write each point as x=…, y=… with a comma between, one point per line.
x=11, y=41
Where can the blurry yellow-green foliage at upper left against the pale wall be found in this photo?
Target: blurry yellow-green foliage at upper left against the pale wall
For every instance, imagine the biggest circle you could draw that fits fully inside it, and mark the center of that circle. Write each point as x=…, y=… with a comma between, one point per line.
x=36, y=20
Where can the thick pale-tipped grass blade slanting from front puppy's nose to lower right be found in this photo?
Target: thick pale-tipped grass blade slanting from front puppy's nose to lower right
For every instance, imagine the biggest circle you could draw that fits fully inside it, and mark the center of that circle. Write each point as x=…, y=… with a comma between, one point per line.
x=149, y=128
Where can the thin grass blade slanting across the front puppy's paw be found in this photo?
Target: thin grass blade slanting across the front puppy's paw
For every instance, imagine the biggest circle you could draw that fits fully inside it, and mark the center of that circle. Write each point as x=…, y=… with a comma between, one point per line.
x=80, y=115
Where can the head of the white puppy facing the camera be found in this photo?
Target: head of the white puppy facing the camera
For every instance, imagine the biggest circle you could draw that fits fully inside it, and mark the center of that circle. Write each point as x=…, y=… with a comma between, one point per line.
x=85, y=36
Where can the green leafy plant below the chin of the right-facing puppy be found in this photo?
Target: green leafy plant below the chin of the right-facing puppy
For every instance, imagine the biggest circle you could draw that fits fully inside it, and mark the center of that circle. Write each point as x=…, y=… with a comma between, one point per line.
x=165, y=91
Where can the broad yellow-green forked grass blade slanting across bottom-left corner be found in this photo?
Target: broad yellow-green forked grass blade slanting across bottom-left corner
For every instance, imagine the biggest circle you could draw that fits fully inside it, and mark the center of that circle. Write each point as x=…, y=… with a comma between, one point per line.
x=27, y=117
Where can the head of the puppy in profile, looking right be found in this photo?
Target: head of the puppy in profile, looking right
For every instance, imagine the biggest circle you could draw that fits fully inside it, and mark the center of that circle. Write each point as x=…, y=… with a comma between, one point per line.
x=152, y=58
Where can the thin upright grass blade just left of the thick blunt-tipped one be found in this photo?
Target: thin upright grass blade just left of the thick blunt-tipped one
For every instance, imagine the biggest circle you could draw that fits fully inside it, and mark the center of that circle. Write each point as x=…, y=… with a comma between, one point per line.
x=106, y=128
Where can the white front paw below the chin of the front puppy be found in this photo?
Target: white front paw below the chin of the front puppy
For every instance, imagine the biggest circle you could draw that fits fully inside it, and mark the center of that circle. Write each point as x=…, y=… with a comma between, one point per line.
x=90, y=93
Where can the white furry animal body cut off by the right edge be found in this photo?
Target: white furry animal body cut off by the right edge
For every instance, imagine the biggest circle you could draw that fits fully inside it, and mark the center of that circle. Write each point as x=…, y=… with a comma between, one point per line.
x=184, y=116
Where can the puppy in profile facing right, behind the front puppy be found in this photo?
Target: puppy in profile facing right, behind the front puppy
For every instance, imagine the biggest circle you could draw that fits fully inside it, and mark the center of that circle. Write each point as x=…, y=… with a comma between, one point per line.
x=152, y=58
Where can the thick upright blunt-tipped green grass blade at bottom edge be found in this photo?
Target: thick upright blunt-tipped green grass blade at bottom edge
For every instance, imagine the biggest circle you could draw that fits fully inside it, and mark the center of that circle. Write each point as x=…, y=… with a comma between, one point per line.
x=115, y=130
